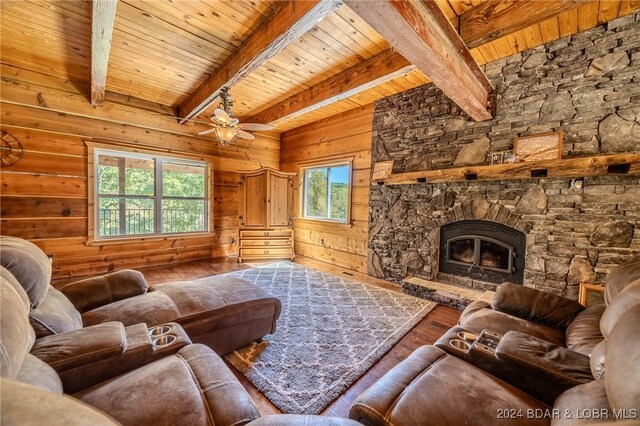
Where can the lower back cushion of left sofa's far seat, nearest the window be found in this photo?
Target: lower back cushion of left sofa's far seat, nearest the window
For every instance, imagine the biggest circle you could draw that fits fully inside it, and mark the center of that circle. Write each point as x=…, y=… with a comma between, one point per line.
x=55, y=315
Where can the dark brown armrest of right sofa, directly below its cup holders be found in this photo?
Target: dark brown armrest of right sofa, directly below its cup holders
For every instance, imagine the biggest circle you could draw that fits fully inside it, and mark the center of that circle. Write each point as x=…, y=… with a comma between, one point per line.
x=542, y=369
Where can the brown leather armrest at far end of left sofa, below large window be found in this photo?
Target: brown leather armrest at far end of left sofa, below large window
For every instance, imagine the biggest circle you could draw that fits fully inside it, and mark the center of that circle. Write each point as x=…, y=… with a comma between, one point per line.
x=99, y=291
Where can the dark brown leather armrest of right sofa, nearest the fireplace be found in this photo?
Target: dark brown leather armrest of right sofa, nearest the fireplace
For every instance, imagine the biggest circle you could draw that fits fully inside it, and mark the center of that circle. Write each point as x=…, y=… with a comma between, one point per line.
x=535, y=305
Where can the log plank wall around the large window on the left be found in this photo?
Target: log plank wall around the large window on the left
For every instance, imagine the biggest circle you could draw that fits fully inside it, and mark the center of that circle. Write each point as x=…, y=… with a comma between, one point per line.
x=44, y=196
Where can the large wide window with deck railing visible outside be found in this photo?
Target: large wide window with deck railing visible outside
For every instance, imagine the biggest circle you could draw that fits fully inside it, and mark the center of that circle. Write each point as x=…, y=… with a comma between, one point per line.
x=145, y=195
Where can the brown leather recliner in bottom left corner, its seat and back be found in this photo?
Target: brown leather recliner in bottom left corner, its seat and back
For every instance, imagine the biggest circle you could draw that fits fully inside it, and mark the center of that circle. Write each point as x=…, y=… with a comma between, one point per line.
x=191, y=387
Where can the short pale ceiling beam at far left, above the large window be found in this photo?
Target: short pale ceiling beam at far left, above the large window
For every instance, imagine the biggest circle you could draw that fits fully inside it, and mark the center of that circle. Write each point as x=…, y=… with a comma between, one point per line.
x=102, y=19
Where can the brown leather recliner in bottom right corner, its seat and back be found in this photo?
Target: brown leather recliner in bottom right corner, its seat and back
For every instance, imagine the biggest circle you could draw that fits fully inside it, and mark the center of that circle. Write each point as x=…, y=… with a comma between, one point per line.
x=433, y=387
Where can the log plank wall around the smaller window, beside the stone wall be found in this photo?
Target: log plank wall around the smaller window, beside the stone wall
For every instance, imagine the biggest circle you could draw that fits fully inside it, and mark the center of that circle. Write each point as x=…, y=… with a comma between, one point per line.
x=342, y=136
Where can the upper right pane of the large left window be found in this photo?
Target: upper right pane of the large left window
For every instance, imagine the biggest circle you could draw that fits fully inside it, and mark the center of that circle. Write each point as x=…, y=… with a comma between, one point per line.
x=180, y=180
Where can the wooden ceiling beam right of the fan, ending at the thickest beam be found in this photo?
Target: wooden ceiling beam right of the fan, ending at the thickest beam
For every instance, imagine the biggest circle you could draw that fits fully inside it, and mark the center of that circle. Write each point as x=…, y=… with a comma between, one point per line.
x=376, y=70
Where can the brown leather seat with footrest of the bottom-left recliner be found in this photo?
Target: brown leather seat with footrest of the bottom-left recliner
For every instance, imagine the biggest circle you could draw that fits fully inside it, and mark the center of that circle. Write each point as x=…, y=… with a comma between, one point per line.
x=182, y=389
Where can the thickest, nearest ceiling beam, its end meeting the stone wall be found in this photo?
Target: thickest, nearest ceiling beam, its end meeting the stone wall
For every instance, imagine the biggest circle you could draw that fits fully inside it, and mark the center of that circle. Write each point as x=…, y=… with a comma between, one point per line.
x=422, y=33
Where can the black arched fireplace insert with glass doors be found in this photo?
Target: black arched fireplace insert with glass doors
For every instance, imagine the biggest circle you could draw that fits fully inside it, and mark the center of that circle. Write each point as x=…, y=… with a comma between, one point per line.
x=482, y=250
